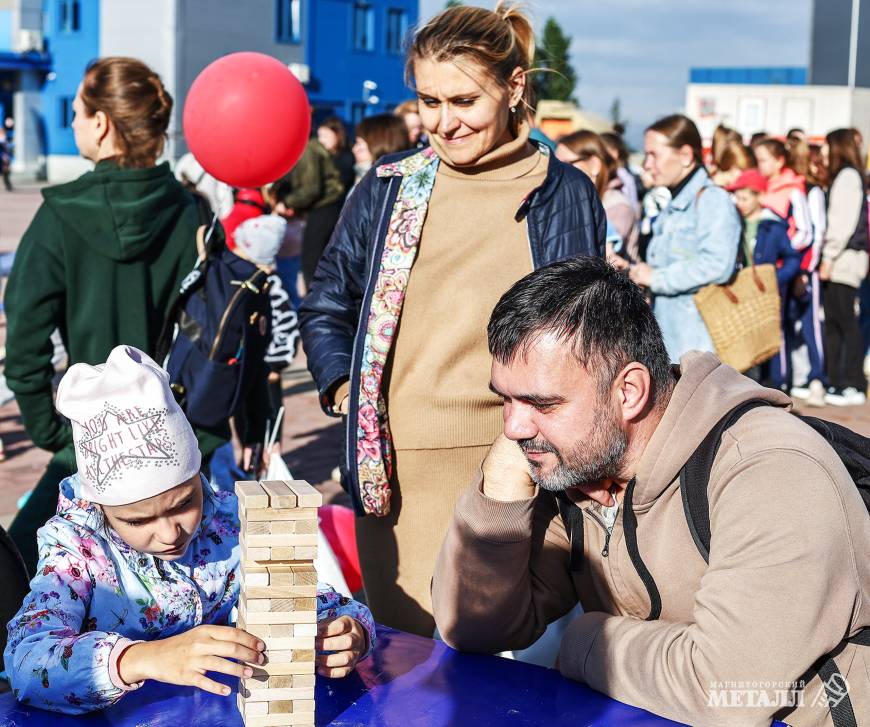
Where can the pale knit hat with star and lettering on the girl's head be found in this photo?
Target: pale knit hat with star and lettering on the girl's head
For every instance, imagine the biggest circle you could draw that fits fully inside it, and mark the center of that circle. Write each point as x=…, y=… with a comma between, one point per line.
x=131, y=438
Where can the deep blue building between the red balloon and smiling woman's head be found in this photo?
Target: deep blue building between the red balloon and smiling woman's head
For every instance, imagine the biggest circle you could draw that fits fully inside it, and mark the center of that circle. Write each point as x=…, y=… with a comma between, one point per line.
x=355, y=59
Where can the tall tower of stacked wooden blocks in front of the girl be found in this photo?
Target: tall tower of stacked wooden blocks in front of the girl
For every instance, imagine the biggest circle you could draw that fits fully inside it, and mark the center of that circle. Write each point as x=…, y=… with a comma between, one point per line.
x=278, y=599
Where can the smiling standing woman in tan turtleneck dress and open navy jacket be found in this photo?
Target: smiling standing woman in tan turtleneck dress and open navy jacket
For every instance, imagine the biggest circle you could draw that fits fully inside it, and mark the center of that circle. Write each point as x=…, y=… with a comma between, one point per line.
x=395, y=324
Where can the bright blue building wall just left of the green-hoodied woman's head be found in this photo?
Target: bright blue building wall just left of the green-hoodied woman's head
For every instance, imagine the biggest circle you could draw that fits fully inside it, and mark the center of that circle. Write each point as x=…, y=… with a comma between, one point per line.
x=72, y=37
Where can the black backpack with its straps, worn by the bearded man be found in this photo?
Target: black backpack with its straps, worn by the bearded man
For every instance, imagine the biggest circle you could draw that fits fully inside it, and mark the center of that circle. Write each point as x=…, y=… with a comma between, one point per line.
x=851, y=448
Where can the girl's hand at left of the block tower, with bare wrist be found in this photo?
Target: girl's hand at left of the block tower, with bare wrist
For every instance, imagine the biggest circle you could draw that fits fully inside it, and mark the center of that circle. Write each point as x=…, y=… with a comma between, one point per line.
x=184, y=659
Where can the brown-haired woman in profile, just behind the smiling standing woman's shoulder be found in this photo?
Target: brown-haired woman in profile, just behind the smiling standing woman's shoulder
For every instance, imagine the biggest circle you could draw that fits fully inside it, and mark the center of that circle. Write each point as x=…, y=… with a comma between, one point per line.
x=586, y=150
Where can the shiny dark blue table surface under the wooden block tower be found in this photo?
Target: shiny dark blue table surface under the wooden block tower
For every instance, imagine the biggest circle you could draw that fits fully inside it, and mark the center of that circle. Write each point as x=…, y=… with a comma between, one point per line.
x=408, y=682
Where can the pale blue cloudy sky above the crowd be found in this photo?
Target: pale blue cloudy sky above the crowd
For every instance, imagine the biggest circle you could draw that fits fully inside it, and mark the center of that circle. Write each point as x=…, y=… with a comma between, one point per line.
x=641, y=50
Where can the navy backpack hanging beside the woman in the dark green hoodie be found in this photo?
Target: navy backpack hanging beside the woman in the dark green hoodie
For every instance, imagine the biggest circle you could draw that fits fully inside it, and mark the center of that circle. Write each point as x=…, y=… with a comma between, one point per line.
x=215, y=336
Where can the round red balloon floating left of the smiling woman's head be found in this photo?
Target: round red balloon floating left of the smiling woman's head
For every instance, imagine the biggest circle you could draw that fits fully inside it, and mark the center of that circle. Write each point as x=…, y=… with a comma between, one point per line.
x=247, y=119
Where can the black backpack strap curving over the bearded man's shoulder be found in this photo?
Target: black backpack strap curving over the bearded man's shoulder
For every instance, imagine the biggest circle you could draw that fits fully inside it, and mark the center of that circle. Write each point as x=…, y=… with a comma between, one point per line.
x=695, y=477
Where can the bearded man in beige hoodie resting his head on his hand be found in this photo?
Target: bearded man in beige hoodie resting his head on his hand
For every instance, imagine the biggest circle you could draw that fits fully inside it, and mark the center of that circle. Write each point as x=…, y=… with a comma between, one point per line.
x=580, y=501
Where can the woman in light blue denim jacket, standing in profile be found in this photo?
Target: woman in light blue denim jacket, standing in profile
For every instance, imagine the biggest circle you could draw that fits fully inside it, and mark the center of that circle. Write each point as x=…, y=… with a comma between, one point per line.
x=695, y=238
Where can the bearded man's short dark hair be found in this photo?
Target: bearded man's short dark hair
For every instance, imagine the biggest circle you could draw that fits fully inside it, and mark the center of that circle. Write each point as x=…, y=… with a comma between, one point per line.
x=592, y=306
